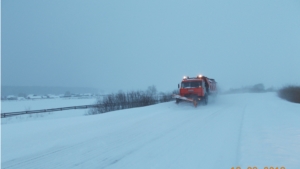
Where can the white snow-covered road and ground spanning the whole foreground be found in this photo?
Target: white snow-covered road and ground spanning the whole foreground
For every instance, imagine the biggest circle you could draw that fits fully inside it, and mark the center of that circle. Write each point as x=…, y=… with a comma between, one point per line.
x=243, y=130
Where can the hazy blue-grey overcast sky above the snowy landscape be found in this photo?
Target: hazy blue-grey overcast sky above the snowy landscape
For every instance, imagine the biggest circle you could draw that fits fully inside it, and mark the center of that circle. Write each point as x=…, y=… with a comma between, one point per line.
x=127, y=45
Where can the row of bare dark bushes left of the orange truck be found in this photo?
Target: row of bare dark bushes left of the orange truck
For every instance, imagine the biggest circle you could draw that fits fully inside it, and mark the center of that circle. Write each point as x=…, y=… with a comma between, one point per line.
x=122, y=100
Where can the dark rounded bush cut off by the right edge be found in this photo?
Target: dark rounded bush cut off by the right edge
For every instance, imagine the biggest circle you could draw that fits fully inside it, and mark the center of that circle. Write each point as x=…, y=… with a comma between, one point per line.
x=290, y=93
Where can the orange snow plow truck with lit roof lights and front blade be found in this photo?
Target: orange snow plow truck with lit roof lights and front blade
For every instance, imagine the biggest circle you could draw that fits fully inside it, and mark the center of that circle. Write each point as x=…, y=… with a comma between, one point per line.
x=196, y=89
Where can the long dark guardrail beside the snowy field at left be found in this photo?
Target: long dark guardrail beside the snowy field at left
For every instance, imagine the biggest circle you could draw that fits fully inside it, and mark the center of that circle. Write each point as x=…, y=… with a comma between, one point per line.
x=9, y=114
